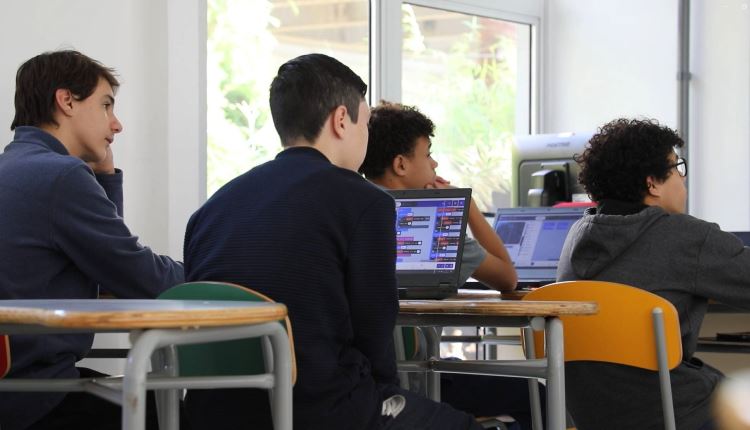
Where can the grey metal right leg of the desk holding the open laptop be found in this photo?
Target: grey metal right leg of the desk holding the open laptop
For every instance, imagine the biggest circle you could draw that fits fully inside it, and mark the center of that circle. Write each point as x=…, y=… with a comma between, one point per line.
x=555, y=374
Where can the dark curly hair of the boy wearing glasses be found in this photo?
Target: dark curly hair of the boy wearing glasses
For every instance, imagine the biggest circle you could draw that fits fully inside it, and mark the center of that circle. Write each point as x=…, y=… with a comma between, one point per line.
x=622, y=154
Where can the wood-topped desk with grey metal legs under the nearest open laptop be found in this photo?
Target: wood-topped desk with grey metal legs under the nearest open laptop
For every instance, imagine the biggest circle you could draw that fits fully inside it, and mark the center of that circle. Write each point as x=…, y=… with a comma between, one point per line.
x=489, y=312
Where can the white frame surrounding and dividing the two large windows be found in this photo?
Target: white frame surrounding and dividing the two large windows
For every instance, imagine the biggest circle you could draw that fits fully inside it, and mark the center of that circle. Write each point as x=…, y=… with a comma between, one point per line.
x=186, y=95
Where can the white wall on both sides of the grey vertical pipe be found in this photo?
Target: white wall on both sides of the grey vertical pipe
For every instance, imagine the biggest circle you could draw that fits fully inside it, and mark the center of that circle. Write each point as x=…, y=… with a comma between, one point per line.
x=606, y=59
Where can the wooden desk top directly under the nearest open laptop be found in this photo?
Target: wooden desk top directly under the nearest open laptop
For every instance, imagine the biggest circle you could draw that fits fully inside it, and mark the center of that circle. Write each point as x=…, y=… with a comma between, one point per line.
x=511, y=308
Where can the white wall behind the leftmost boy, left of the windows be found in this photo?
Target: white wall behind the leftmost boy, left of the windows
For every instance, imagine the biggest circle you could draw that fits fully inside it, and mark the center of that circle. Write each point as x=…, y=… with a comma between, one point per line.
x=146, y=41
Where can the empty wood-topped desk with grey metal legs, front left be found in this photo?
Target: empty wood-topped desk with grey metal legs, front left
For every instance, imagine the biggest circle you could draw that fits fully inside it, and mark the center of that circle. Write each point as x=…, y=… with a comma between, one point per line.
x=153, y=324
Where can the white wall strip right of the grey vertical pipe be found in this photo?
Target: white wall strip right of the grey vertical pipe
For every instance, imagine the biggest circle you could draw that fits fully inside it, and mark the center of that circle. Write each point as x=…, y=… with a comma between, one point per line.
x=720, y=107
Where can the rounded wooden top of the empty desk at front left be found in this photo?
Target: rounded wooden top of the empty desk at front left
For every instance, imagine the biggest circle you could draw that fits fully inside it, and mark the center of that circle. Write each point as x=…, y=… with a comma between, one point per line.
x=99, y=314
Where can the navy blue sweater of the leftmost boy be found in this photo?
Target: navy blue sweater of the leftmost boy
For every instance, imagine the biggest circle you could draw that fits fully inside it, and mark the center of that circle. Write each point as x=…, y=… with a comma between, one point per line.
x=62, y=236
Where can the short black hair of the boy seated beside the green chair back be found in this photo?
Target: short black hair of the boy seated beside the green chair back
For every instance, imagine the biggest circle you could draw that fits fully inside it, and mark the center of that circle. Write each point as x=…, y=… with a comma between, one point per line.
x=306, y=90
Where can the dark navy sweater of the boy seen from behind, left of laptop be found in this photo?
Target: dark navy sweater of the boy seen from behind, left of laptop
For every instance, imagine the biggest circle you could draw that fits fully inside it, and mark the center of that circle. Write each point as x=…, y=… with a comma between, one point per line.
x=321, y=240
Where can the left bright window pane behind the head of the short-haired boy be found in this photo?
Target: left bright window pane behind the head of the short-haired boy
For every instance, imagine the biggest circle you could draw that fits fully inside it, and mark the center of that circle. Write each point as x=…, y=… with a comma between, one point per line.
x=247, y=42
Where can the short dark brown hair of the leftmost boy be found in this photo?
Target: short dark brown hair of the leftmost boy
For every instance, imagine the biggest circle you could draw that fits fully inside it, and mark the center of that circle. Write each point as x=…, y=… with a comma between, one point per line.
x=39, y=78
